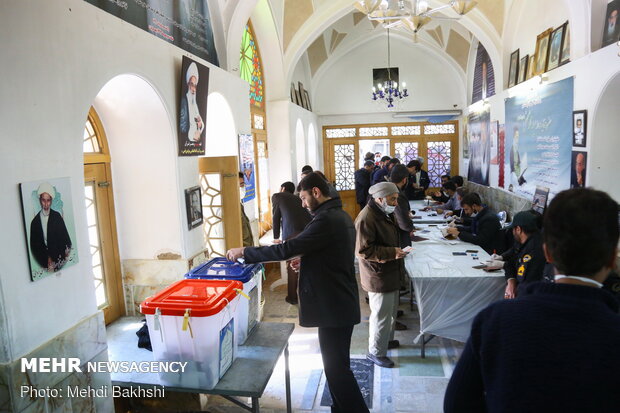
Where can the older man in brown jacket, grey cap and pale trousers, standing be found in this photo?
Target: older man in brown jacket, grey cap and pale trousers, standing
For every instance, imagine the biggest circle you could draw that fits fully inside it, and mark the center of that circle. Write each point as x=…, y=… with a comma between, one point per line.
x=381, y=266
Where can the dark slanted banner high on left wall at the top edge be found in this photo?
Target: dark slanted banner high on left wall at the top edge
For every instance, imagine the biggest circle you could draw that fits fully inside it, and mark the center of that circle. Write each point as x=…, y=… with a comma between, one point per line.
x=183, y=23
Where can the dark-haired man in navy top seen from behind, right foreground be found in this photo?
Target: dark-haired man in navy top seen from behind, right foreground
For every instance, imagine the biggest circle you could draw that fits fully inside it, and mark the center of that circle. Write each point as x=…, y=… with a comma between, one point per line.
x=554, y=348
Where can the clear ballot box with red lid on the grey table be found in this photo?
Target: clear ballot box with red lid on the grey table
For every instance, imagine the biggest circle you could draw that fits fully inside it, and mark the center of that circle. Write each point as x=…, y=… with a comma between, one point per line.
x=193, y=321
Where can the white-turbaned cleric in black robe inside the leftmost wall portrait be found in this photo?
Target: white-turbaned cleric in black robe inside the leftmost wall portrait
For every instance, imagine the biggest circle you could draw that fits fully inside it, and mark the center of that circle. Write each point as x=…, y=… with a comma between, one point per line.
x=50, y=243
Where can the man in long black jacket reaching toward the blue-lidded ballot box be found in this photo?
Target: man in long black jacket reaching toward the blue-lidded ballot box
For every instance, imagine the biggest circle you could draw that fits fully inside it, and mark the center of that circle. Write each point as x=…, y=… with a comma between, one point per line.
x=328, y=290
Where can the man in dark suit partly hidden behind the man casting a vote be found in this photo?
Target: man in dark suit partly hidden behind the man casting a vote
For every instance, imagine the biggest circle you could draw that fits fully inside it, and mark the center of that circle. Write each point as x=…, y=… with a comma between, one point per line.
x=292, y=218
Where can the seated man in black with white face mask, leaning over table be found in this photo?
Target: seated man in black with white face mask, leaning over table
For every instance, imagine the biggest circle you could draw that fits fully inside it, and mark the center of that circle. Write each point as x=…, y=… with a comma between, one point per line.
x=485, y=227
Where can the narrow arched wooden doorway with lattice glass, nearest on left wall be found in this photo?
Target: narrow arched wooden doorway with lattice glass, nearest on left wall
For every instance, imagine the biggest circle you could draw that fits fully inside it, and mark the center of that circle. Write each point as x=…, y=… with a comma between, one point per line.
x=101, y=221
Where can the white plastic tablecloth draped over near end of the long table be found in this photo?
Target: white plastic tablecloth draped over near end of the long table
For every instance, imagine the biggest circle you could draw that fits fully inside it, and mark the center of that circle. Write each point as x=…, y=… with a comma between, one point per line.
x=449, y=292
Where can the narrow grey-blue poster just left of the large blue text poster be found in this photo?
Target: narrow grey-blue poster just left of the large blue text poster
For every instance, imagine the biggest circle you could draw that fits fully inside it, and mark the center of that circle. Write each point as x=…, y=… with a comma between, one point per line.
x=478, y=125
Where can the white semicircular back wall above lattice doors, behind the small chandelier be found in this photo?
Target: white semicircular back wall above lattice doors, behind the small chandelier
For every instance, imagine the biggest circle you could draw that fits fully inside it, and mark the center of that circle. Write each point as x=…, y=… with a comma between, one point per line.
x=346, y=87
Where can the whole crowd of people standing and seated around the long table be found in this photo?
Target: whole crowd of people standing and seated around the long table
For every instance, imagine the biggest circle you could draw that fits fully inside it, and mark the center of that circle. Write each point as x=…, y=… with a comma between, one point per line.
x=553, y=337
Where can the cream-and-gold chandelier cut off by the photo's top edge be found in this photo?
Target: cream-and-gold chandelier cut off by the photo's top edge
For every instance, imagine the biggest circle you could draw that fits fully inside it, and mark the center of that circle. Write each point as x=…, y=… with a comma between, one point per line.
x=411, y=15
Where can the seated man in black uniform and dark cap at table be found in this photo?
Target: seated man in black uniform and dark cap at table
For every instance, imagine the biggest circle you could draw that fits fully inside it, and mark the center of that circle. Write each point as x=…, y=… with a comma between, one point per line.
x=525, y=262
